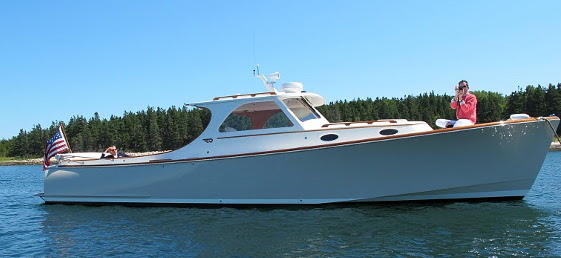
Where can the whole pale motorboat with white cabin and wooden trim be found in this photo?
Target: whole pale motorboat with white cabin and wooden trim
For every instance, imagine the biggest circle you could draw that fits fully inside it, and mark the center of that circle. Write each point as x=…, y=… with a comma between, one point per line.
x=277, y=148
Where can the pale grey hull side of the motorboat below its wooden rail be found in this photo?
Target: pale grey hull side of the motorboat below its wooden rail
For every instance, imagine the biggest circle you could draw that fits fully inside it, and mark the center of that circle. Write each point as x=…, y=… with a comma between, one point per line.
x=480, y=162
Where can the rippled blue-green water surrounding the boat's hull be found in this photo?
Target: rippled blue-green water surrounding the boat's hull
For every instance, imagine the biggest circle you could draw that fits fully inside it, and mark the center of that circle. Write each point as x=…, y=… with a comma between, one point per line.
x=531, y=227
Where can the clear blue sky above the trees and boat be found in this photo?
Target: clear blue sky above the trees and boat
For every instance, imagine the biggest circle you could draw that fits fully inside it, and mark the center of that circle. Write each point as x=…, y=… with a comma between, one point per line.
x=64, y=58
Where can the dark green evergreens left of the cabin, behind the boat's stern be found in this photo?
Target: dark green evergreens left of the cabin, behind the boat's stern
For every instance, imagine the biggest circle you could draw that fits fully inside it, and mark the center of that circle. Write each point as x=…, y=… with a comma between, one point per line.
x=154, y=129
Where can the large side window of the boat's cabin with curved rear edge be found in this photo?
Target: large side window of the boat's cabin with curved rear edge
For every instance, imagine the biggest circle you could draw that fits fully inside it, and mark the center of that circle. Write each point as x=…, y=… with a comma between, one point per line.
x=252, y=116
